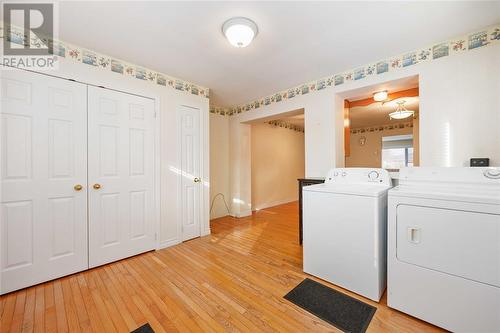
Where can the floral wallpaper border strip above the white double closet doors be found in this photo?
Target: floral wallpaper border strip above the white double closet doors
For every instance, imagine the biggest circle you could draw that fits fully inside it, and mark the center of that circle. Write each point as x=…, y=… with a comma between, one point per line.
x=95, y=59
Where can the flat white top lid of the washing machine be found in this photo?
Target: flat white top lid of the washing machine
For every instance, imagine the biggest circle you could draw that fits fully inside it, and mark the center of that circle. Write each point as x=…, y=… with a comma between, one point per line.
x=367, y=190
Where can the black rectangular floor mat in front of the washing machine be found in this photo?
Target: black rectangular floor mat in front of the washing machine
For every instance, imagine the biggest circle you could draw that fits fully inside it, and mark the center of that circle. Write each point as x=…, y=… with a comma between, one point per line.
x=342, y=311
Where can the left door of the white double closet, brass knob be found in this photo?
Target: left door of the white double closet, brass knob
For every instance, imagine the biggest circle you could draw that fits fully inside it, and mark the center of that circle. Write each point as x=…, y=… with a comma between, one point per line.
x=43, y=229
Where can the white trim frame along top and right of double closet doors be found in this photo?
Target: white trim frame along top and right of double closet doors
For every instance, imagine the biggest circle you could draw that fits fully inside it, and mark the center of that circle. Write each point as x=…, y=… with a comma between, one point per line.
x=141, y=92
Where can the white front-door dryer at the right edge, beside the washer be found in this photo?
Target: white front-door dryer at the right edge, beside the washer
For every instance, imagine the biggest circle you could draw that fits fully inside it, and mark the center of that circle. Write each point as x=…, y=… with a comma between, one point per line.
x=444, y=247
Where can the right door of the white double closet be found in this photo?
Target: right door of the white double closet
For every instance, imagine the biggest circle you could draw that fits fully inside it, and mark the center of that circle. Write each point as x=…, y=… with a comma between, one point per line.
x=121, y=175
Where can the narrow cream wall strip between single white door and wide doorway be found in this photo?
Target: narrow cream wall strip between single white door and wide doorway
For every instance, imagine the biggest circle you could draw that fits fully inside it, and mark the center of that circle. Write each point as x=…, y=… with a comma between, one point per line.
x=219, y=165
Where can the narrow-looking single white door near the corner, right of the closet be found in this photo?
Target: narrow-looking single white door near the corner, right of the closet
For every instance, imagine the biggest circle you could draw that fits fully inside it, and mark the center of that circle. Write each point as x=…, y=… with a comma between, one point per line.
x=191, y=183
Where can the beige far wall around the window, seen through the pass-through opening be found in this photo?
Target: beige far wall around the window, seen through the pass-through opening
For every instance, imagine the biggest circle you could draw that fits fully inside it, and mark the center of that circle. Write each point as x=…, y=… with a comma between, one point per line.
x=370, y=155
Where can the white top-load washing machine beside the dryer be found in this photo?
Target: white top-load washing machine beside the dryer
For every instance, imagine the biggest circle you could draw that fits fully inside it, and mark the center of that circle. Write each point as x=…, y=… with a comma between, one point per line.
x=345, y=228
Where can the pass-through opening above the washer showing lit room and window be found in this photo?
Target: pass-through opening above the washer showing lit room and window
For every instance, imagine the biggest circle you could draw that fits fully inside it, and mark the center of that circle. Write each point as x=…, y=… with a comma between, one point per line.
x=383, y=131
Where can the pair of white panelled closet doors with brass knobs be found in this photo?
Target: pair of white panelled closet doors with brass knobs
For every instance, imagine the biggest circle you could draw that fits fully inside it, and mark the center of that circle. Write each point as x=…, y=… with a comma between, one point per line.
x=77, y=177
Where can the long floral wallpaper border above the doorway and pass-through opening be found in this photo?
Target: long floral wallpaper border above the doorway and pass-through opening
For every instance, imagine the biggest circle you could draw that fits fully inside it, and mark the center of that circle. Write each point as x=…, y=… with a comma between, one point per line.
x=469, y=42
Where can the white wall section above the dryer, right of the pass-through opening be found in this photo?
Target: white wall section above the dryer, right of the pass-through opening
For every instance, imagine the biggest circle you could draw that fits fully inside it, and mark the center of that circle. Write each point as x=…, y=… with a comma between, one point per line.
x=460, y=99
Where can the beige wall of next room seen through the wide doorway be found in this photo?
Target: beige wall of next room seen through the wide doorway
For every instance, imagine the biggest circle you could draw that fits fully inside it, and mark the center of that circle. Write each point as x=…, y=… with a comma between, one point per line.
x=277, y=161
